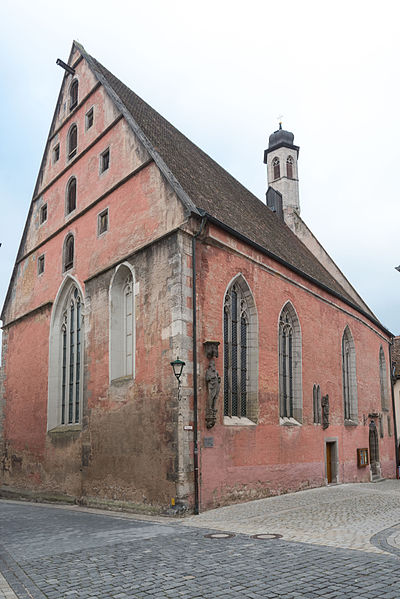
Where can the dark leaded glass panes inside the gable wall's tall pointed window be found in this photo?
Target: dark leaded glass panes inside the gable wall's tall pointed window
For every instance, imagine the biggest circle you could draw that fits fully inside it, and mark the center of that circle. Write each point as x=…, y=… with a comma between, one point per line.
x=71, y=360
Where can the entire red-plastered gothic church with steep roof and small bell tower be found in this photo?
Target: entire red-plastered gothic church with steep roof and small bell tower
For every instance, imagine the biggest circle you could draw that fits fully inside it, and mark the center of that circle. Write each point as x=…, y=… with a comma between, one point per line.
x=141, y=255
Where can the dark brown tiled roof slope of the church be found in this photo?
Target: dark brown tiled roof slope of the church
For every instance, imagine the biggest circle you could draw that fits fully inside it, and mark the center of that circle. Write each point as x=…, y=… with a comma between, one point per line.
x=214, y=190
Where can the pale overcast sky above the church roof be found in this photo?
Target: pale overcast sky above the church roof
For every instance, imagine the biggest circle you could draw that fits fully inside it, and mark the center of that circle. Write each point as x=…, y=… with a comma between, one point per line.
x=222, y=72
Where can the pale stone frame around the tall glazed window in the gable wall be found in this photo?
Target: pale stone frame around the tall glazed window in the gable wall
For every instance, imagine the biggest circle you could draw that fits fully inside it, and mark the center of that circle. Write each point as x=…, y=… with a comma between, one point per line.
x=57, y=369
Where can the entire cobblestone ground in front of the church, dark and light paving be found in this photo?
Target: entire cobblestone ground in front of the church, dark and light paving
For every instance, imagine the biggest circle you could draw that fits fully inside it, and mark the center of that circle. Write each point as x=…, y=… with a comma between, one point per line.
x=338, y=542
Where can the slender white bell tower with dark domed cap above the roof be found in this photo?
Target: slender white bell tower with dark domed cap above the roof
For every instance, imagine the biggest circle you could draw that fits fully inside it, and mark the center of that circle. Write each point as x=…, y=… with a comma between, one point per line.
x=282, y=173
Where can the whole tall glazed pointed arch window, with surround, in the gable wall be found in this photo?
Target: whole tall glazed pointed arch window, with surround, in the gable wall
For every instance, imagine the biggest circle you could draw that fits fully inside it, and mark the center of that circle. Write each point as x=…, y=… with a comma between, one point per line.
x=66, y=357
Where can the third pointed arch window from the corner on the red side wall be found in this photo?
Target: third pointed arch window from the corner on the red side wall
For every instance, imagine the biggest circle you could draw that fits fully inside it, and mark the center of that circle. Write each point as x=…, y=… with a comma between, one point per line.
x=349, y=378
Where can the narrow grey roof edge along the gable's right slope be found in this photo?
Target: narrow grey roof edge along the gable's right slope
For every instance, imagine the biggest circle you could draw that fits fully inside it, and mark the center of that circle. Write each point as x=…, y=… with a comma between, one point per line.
x=180, y=192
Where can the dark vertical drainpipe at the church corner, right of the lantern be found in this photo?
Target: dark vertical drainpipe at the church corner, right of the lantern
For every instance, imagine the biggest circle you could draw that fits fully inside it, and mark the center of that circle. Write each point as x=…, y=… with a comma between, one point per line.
x=195, y=415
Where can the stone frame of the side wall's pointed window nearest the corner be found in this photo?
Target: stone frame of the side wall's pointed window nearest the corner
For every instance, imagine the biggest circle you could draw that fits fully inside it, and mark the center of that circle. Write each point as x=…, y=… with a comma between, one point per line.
x=246, y=295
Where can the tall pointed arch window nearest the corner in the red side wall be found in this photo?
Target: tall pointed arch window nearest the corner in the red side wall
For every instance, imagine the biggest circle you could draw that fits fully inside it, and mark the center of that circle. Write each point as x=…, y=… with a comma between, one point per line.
x=240, y=352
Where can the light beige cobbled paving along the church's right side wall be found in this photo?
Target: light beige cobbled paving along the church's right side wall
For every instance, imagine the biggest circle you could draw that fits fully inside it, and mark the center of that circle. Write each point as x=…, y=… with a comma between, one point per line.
x=344, y=516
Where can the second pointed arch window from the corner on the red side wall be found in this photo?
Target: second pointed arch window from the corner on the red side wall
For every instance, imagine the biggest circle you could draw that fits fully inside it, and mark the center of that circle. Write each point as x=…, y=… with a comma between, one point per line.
x=290, y=365
